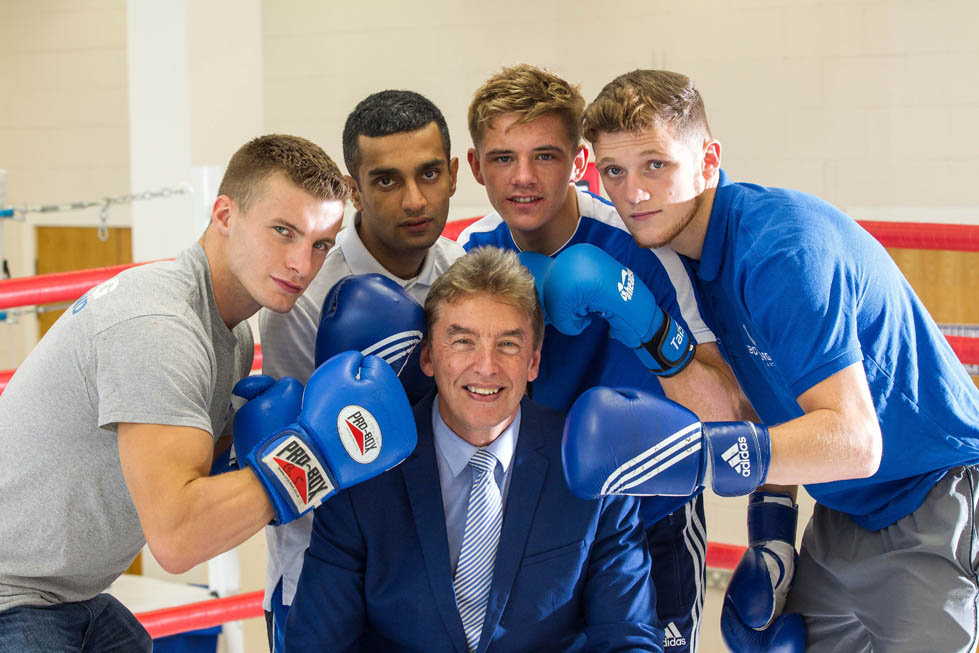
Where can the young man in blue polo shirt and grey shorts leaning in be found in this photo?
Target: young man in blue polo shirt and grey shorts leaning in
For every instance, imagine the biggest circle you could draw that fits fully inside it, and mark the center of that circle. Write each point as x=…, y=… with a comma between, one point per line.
x=865, y=401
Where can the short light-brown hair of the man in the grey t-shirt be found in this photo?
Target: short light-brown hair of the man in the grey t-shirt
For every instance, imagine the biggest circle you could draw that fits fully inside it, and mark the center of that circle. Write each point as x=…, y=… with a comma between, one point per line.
x=302, y=162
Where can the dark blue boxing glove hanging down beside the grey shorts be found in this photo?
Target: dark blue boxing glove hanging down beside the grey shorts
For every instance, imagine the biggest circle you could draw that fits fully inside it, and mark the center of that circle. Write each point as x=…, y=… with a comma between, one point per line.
x=752, y=619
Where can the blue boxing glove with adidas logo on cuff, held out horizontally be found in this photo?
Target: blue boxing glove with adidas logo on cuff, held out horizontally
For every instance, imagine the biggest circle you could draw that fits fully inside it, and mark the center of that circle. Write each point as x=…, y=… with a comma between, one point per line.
x=626, y=441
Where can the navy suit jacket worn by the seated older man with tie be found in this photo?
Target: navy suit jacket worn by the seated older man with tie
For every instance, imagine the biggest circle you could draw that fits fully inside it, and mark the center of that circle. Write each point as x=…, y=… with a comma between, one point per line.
x=569, y=575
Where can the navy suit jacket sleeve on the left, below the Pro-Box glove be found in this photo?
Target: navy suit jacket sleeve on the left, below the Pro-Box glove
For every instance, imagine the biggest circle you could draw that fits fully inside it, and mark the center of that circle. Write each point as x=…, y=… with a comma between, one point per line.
x=328, y=611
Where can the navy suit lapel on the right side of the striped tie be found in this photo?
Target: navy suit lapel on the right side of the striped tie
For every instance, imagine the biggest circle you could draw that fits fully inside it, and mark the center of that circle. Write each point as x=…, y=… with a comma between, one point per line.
x=526, y=482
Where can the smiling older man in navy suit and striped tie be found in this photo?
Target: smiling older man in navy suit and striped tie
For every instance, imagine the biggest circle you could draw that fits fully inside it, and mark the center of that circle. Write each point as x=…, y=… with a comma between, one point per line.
x=475, y=542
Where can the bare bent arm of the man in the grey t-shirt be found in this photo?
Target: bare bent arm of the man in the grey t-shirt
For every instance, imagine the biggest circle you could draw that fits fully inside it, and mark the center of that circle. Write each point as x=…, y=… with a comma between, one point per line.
x=187, y=516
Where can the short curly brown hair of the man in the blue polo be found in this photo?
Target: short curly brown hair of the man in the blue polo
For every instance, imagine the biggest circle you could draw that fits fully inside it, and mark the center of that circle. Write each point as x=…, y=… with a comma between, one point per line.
x=643, y=99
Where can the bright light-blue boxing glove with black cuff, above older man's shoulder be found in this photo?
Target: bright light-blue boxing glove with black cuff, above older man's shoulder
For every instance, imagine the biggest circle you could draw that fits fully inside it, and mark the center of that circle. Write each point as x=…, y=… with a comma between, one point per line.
x=584, y=280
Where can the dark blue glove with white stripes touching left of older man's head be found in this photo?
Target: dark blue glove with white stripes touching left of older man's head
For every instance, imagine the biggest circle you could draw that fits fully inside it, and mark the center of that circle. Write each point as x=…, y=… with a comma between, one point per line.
x=372, y=314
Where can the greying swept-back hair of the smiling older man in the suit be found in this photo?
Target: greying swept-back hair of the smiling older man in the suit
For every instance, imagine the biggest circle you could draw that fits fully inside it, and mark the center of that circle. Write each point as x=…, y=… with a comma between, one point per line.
x=488, y=271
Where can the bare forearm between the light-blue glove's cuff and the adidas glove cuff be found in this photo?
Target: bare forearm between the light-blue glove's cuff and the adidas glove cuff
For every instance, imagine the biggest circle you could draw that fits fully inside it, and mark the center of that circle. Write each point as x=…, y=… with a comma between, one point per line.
x=708, y=388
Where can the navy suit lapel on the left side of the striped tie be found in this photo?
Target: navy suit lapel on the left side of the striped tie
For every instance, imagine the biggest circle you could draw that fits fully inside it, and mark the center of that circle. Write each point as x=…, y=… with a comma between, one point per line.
x=421, y=479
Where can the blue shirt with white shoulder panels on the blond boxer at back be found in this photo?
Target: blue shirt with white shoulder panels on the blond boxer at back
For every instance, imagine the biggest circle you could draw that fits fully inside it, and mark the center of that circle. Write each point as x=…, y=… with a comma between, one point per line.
x=572, y=364
